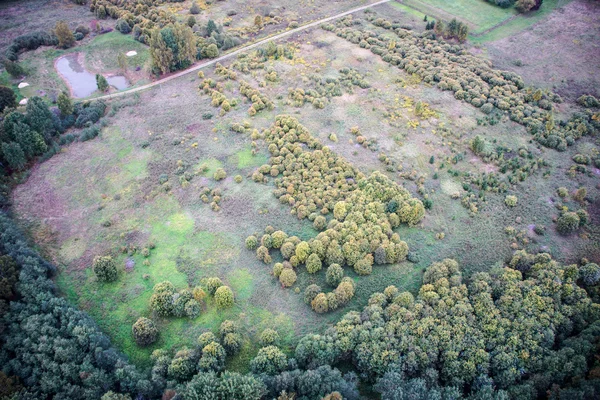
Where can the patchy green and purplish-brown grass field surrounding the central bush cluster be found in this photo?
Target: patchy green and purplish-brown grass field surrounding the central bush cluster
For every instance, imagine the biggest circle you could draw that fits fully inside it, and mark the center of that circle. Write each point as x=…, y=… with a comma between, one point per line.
x=95, y=197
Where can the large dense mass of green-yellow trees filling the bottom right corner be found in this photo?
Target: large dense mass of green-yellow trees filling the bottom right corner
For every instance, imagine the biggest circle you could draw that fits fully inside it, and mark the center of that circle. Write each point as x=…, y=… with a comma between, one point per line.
x=484, y=336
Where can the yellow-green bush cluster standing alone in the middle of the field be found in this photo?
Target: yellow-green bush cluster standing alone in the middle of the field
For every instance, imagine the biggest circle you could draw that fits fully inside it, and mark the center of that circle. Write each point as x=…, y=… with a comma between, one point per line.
x=316, y=183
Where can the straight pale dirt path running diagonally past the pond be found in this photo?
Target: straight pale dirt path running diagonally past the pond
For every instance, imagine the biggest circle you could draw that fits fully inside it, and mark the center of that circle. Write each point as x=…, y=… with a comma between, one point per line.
x=238, y=51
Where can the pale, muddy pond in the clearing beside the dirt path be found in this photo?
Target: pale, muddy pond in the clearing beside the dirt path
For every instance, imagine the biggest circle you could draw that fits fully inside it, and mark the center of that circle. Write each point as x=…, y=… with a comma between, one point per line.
x=82, y=82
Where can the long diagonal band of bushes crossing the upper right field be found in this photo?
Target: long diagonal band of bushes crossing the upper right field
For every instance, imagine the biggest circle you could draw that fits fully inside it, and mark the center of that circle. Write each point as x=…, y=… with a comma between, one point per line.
x=473, y=80
